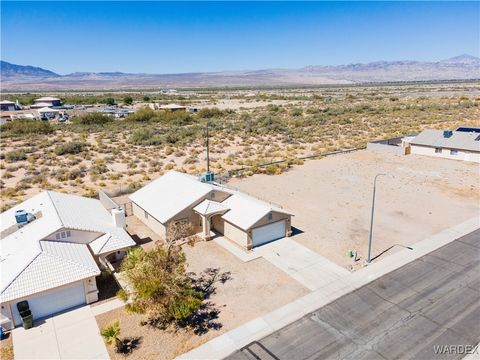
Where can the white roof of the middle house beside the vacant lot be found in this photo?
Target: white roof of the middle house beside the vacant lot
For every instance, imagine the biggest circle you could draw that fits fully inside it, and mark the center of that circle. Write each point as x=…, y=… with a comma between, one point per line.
x=172, y=193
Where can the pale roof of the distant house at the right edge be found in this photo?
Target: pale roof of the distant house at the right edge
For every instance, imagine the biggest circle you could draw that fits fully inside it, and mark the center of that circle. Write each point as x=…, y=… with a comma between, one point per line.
x=459, y=140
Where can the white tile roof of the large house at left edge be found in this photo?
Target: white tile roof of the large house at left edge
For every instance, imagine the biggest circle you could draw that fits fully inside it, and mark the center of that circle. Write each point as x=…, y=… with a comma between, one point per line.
x=23, y=250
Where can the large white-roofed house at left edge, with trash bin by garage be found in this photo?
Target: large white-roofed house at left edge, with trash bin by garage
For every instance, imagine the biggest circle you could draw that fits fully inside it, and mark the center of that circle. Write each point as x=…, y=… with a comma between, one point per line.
x=53, y=260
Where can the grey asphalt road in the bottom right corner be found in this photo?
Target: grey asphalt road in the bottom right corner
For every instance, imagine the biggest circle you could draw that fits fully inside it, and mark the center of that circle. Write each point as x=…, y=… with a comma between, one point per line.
x=432, y=301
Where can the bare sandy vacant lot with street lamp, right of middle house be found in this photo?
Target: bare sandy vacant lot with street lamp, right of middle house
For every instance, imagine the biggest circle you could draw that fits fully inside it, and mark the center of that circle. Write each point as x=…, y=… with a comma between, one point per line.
x=331, y=199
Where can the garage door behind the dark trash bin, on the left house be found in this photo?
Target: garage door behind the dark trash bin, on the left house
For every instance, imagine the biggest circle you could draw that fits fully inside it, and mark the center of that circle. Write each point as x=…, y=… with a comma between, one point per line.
x=52, y=302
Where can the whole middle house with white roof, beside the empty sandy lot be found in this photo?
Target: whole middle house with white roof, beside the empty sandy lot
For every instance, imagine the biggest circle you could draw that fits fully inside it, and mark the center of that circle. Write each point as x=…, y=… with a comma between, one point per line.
x=177, y=197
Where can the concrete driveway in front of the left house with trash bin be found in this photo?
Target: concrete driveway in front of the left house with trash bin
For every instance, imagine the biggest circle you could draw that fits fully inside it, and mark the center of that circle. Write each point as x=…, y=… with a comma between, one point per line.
x=70, y=335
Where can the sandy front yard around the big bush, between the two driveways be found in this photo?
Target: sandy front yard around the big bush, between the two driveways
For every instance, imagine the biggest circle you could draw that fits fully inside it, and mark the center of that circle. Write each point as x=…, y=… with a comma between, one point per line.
x=255, y=288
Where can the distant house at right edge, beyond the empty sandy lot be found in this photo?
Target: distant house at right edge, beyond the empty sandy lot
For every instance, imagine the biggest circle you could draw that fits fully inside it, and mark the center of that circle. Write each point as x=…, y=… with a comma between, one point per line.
x=458, y=145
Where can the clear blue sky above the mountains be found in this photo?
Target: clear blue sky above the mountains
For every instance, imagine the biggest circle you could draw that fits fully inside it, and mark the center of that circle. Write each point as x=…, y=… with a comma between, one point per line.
x=164, y=37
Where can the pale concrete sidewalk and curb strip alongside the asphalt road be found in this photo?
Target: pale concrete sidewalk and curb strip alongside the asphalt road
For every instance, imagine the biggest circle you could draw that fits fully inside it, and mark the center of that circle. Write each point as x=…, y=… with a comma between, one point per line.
x=256, y=329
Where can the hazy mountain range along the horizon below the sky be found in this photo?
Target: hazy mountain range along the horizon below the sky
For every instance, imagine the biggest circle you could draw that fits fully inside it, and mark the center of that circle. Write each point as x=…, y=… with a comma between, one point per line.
x=22, y=78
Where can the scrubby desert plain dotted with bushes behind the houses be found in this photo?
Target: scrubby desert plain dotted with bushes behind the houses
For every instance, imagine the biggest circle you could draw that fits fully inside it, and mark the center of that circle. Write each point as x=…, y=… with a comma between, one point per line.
x=246, y=128
